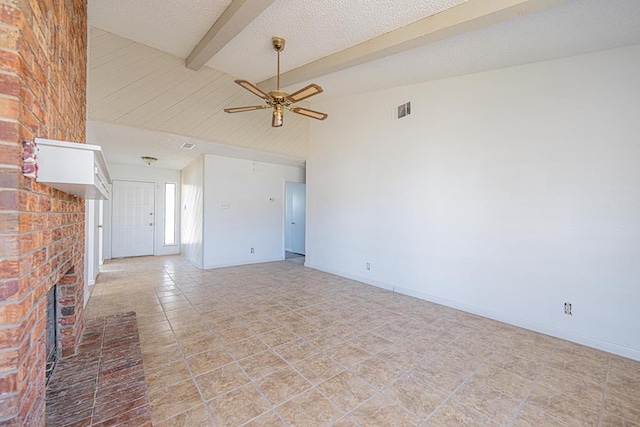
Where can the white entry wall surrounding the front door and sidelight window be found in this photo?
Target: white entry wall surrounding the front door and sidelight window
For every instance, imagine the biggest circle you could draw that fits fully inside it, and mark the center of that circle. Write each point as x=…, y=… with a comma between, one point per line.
x=159, y=177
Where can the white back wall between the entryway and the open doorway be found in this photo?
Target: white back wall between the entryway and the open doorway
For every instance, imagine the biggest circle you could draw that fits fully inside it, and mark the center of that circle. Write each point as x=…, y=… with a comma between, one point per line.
x=238, y=212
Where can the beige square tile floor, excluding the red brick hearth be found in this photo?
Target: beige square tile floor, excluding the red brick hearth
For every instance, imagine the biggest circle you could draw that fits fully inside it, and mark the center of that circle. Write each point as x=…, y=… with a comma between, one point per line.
x=280, y=344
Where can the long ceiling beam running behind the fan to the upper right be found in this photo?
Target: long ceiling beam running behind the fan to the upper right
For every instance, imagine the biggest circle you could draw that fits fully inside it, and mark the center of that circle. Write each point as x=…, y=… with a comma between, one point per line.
x=451, y=22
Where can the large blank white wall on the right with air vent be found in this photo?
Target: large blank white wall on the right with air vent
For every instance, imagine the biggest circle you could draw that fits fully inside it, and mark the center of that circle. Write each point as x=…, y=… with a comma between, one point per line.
x=505, y=193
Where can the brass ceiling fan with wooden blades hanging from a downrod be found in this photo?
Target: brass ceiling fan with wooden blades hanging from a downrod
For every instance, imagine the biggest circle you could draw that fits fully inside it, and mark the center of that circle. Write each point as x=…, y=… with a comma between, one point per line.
x=277, y=99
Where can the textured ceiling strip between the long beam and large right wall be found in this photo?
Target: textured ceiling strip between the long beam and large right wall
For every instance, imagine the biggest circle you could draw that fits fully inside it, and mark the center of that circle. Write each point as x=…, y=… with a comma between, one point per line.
x=576, y=27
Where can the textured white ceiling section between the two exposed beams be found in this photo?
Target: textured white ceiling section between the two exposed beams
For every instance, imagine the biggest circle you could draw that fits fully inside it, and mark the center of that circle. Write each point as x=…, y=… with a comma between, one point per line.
x=315, y=29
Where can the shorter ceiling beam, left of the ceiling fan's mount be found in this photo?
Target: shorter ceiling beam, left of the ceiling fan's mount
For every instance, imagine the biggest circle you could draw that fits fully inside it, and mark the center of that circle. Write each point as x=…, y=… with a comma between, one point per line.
x=233, y=20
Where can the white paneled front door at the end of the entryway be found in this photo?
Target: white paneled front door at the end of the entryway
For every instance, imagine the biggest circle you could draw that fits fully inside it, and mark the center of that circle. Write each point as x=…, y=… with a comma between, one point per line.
x=134, y=218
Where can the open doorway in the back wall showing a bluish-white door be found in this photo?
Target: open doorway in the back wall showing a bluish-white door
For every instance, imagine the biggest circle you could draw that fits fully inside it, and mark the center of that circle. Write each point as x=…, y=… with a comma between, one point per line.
x=295, y=221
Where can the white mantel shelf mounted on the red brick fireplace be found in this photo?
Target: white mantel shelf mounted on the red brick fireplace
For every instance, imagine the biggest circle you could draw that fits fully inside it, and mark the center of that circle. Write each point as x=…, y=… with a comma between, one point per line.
x=78, y=169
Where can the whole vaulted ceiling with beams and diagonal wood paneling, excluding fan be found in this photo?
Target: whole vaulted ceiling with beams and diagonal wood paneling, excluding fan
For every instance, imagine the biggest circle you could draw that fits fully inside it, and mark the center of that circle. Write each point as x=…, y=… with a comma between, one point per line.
x=163, y=70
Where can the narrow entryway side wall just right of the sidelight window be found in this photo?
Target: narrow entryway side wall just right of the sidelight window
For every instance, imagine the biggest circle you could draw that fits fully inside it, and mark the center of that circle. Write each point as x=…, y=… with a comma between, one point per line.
x=192, y=207
